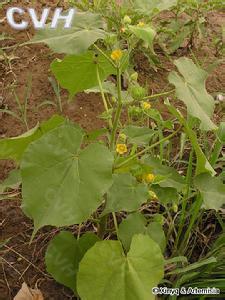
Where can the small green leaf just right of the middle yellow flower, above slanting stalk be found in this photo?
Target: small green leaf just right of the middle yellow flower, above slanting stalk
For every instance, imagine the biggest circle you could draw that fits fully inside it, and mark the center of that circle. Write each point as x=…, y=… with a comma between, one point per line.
x=138, y=135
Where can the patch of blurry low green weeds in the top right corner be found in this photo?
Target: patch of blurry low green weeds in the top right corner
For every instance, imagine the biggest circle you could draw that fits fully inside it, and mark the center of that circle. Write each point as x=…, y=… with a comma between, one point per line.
x=188, y=26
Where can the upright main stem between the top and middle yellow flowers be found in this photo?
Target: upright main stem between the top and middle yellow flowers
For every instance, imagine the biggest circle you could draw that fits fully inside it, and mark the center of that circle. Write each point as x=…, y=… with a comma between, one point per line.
x=118, y=110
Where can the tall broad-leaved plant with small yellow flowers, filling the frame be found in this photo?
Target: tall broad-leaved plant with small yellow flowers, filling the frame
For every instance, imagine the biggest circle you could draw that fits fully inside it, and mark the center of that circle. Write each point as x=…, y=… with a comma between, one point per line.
x=69, y=176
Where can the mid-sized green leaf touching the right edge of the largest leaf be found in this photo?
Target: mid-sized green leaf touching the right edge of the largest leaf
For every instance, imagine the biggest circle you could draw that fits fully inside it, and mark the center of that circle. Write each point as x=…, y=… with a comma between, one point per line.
x=126, y=194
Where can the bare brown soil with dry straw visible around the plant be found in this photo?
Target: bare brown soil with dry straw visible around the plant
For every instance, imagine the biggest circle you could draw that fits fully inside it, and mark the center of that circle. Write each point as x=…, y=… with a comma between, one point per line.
x=22, y=261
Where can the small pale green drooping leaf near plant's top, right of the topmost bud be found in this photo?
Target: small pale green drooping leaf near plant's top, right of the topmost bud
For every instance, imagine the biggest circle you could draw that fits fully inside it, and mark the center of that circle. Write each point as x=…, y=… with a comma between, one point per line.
x=145, y=33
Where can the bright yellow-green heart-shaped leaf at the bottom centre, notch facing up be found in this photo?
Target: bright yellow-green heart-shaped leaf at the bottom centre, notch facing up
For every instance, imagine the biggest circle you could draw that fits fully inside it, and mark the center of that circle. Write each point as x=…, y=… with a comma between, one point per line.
x=106, y=273
